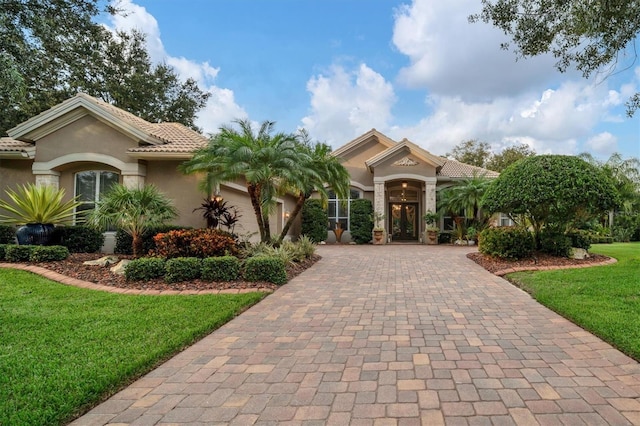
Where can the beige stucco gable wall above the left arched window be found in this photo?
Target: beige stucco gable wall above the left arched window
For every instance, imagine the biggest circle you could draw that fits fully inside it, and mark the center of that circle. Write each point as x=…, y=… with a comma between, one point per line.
x=84, y=135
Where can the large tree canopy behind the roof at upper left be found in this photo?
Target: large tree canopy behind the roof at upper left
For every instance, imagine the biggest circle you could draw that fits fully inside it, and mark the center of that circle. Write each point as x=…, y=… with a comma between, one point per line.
x=52, y=49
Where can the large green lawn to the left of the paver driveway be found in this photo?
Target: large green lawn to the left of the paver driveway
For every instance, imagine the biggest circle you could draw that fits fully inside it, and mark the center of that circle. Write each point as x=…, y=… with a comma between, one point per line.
x=63, y=349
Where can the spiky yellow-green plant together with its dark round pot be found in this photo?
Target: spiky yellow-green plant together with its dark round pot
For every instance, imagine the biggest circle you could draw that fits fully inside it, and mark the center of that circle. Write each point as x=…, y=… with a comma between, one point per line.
x=38, y=208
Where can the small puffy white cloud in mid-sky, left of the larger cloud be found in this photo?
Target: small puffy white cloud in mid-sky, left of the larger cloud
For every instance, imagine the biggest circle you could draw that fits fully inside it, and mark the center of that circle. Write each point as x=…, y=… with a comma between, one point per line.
x=346, y=104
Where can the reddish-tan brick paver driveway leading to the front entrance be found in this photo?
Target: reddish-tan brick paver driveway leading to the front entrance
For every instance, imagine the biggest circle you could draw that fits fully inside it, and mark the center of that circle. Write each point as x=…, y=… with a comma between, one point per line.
x=389, y=335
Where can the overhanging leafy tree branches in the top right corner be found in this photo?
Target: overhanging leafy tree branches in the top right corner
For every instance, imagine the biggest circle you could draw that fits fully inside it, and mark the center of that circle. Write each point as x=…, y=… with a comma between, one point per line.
x=588, y=35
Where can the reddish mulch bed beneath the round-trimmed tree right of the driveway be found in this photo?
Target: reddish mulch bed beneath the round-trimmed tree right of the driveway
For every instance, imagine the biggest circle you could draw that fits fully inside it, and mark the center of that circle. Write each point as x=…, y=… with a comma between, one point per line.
x=494, y=264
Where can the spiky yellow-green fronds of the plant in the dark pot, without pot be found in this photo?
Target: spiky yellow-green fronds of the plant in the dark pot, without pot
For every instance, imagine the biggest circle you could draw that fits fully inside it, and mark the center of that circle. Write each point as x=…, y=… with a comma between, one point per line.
x=40, y=204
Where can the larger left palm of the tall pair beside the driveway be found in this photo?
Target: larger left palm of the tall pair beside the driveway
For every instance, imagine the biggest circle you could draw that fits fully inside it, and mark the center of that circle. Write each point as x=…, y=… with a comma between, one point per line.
x=264, y=160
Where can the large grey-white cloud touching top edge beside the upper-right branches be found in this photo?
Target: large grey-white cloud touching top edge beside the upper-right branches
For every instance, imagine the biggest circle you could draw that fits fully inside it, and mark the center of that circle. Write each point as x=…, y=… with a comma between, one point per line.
x=450, y=56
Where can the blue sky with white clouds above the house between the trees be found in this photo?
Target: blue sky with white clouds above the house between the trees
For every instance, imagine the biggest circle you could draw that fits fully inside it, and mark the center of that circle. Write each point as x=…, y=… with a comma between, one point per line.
x=410, y=69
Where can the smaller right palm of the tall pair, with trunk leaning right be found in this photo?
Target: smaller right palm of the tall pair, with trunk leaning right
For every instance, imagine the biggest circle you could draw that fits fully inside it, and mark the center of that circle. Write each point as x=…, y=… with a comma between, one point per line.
x=321, y=170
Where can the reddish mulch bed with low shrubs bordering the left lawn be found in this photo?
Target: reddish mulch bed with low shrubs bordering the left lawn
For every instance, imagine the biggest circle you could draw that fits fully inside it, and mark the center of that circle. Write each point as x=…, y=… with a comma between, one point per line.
x=73, y=267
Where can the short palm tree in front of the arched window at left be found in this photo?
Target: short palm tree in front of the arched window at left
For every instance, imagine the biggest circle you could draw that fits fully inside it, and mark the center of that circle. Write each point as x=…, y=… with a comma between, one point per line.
x=132, y=210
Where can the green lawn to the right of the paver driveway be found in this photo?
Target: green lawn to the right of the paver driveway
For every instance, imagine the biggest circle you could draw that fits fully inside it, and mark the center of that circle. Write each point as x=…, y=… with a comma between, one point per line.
x=604, y=300
